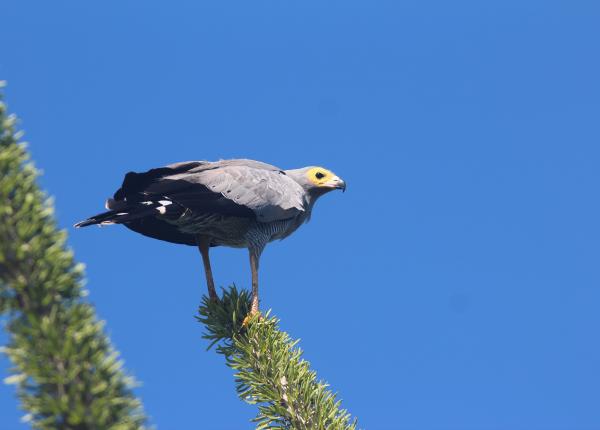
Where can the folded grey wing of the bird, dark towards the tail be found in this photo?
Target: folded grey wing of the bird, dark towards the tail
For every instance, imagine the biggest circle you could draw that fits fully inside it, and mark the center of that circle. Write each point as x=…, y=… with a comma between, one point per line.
x=244, y=188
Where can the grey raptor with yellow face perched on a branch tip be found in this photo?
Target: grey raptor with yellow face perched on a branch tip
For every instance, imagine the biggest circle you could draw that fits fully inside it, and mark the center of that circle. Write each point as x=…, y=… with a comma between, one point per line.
x=238, y=203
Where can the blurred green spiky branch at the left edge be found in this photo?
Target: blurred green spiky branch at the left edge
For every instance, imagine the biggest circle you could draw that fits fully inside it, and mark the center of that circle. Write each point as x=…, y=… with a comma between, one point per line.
x=67, y=374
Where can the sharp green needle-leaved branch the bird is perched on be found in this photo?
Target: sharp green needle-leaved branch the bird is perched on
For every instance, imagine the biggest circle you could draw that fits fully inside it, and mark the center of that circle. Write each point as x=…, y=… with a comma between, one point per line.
x=269, y=369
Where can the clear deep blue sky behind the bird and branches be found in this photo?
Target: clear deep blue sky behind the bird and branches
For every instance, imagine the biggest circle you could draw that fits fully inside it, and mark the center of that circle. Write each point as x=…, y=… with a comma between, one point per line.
x=455, y=285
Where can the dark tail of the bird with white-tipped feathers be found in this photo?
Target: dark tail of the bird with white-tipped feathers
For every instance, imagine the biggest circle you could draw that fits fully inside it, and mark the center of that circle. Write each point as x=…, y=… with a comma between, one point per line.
x=121, y=212
